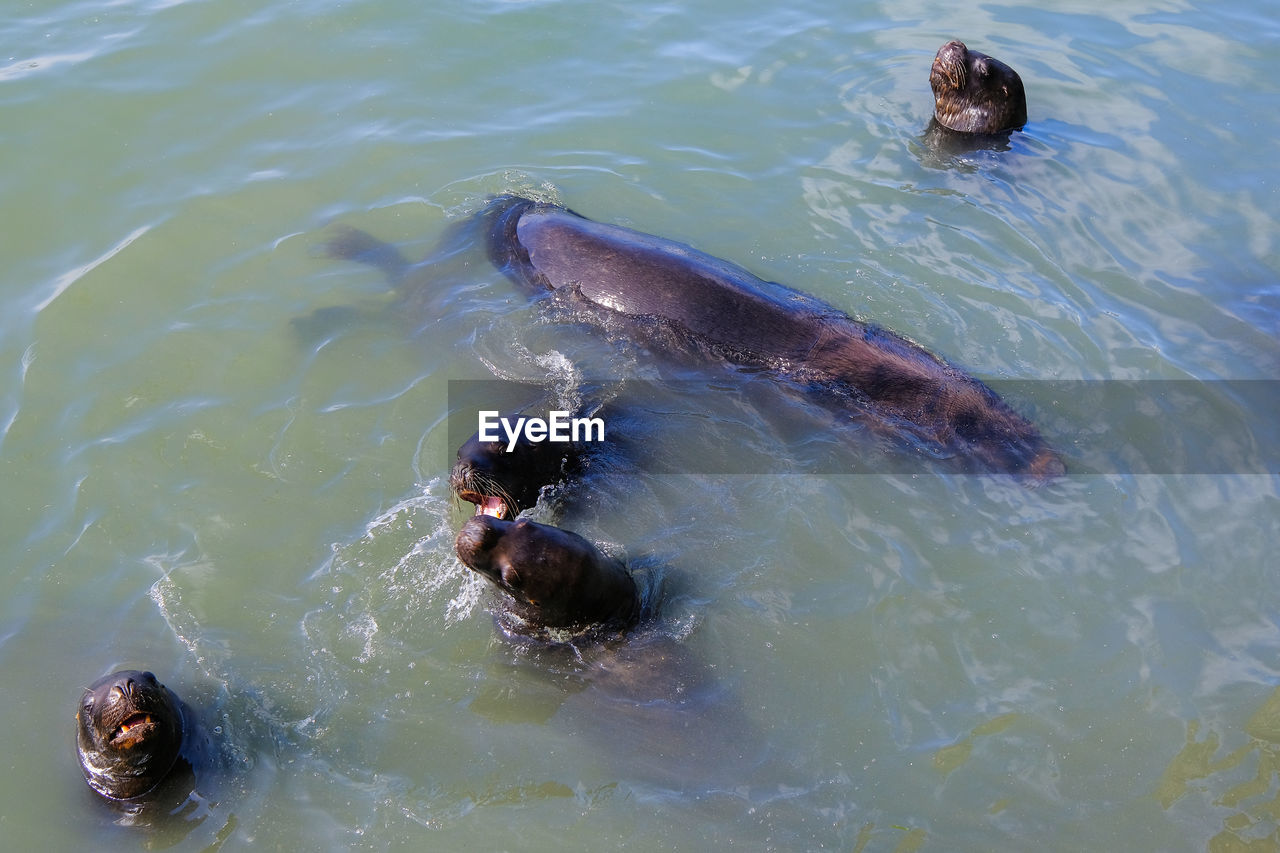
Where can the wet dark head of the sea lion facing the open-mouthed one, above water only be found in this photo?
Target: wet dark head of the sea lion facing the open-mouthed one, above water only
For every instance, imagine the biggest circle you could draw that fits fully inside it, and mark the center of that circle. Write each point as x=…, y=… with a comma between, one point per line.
x=554, y=578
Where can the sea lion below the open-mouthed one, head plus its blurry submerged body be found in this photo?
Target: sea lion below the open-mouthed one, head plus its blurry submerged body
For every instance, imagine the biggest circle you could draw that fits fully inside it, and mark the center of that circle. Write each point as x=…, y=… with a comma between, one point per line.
x=627, y=682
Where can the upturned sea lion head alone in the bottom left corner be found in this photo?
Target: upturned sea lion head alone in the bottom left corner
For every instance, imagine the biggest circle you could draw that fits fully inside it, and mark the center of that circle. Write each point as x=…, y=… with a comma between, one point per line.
x=130, y=732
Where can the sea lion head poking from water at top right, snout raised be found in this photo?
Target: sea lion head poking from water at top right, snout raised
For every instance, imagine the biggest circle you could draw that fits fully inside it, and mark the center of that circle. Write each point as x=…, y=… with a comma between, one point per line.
x=975, y=93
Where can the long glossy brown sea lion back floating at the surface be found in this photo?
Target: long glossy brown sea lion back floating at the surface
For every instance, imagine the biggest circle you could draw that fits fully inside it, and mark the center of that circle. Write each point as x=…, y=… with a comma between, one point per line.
x=749, y=322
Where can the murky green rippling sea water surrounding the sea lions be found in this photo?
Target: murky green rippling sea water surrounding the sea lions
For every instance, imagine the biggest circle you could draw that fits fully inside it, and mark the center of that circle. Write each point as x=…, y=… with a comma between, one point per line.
x=223, y=454
